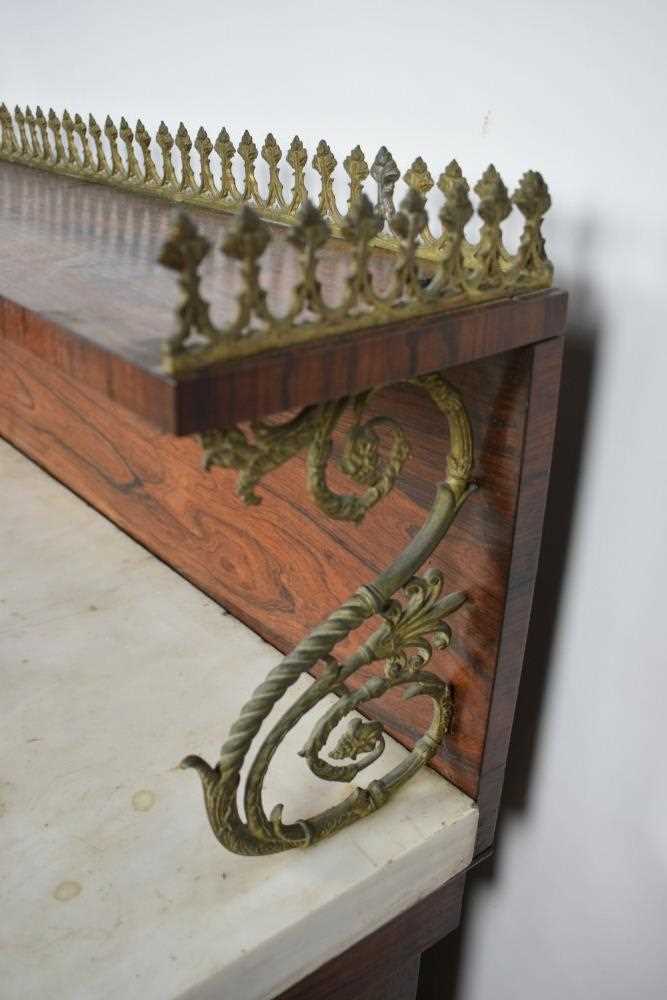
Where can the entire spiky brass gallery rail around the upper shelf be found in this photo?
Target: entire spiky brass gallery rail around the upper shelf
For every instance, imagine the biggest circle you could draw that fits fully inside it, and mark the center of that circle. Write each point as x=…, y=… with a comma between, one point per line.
x=433, y=270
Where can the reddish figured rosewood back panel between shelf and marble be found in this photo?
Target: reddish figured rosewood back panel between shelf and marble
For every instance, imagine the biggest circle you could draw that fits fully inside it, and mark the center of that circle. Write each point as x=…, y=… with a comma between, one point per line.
x=281, y=567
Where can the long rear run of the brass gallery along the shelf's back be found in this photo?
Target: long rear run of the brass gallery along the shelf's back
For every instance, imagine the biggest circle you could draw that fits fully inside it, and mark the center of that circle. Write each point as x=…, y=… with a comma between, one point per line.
x=24, y=138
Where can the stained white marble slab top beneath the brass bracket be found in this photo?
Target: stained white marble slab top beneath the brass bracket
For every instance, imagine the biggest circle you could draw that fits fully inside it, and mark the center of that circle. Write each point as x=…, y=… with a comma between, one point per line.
x=111, y=883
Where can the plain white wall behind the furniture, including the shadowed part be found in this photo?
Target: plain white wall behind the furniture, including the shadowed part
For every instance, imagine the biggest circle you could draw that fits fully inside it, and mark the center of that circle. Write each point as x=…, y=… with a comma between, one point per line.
x=577, y=904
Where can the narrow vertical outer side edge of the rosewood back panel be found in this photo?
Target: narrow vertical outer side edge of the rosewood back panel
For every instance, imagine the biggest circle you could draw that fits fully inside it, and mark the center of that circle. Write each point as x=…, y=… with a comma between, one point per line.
x=536, y=464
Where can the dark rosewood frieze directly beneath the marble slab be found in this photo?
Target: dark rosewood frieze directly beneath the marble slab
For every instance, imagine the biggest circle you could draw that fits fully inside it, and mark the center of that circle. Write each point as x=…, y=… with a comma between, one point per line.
x=387, y=959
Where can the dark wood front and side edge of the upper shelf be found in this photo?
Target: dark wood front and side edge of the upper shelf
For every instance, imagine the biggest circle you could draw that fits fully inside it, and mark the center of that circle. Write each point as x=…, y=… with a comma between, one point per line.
x=281, y=380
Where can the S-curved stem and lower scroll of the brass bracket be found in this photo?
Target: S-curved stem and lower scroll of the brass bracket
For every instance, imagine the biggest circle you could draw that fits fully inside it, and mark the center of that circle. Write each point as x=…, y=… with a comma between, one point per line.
x=262, y=834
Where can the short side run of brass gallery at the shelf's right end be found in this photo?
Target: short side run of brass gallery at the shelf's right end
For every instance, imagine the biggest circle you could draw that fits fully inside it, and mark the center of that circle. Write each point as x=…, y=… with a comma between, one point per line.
x=464, y=273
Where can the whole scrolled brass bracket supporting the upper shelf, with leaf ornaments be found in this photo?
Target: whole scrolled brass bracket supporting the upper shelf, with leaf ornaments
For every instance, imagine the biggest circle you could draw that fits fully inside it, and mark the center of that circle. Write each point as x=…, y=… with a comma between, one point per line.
x=409, y=633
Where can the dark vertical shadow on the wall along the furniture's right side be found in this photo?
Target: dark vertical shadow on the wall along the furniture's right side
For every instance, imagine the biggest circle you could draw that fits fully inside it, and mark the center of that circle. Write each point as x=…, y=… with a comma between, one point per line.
x=441, y=965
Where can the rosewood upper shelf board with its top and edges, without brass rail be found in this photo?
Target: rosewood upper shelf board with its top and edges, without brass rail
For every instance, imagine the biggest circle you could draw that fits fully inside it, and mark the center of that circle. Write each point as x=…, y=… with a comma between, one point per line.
x=79, y=287
